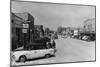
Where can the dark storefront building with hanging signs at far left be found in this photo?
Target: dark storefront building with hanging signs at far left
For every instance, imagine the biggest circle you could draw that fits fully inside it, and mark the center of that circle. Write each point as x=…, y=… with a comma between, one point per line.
x=22, y=25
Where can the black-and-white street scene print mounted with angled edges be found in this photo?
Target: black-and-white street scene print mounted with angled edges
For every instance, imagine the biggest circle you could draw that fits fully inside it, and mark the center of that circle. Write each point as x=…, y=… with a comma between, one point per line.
x=52, y=33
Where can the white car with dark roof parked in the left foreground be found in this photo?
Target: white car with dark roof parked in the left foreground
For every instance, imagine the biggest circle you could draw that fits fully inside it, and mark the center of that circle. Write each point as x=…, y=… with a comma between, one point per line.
x=33, y=51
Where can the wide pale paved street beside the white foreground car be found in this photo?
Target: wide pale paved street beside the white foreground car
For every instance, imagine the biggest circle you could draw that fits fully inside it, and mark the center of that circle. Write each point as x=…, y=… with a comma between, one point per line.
x=68, y=50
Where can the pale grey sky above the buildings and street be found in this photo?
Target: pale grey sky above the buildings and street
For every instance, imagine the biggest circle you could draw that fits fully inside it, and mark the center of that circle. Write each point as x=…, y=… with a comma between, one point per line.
x=54, y=15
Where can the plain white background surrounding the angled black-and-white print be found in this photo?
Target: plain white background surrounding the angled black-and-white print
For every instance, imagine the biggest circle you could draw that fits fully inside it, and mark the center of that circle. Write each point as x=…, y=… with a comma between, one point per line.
x=5, y=33
